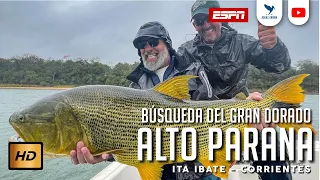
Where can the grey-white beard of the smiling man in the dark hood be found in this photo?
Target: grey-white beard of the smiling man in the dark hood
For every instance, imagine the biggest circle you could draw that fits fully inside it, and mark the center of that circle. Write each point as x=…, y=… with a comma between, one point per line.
x=155, y=65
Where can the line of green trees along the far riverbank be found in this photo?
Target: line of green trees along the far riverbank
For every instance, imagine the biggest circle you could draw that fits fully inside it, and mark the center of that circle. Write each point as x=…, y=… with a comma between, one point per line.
x=30, y=70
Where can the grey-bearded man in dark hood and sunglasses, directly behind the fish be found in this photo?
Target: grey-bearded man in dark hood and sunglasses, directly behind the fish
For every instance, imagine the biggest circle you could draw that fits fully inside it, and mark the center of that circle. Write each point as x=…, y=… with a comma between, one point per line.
x=160, y=62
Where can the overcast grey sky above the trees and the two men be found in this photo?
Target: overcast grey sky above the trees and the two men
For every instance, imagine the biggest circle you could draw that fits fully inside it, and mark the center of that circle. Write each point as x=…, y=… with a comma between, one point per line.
x=105, y=29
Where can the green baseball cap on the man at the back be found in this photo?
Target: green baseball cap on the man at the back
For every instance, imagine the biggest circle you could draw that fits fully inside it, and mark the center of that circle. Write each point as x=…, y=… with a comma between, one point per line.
x=202, y=7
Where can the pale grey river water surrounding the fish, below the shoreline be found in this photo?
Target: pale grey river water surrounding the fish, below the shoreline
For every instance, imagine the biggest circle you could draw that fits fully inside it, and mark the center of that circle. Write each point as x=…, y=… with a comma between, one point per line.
x=13, y=99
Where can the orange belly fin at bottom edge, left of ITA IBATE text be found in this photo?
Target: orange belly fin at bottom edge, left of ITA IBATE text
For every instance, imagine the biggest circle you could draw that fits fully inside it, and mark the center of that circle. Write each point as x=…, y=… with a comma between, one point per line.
x=150, y=171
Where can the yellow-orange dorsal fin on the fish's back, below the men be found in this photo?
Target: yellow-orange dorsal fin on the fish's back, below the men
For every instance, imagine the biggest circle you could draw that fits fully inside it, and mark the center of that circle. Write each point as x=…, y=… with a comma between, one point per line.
x=176, y=87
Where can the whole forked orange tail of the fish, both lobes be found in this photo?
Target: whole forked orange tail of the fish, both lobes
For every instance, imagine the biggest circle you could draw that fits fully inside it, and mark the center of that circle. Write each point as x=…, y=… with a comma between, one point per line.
x=289, y=94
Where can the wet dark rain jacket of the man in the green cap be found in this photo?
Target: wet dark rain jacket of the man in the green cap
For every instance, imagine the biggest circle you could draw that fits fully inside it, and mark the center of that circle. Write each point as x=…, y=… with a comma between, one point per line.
x=226, y=61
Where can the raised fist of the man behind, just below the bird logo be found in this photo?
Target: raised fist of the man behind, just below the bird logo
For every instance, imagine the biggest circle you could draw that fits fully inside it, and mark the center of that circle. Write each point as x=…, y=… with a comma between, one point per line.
x=267, y=36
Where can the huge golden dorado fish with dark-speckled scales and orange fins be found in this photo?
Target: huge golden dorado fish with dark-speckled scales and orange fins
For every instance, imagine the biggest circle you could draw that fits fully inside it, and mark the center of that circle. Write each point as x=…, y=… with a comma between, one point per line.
x=107, y=118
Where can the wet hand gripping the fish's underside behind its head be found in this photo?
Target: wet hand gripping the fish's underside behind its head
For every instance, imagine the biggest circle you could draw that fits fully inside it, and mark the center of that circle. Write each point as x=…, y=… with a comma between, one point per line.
x=82, y=155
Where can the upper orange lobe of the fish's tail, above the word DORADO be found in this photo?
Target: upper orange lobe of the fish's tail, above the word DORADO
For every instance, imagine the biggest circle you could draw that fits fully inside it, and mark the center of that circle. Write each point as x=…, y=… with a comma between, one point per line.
x=288, y=91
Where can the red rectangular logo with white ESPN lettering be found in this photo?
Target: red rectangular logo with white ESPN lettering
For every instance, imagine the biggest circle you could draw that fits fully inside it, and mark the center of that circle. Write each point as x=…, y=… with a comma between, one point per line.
x=228, y=15
